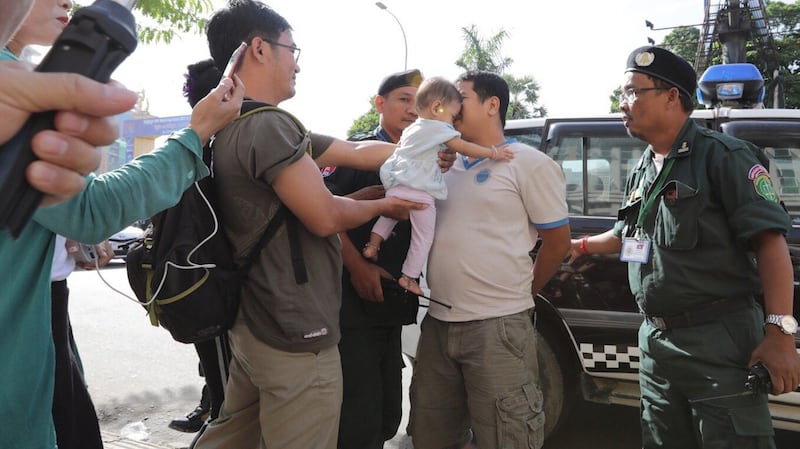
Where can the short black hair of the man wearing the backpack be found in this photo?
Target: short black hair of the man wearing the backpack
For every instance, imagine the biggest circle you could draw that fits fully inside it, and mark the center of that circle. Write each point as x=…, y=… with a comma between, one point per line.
x=241, y=21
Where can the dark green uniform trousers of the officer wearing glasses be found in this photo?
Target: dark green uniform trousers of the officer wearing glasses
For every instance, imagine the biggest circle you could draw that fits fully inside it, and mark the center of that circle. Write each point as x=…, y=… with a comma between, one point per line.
x=685, y=375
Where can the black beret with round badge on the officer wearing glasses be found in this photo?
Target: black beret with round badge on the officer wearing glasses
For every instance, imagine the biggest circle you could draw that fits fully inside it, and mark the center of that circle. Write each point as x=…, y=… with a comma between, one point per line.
x=664, y=65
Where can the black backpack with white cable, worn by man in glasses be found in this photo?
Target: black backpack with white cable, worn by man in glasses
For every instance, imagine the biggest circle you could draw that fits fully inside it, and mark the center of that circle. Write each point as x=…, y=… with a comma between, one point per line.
x=182, y=271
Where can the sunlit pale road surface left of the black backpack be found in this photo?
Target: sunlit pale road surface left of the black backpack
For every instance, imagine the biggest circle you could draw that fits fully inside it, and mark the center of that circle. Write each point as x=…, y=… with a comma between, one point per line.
x=135, y=372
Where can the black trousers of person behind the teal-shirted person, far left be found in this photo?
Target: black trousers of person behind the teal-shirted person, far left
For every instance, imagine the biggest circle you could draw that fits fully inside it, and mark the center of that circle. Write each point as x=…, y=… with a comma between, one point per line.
x=74, y=415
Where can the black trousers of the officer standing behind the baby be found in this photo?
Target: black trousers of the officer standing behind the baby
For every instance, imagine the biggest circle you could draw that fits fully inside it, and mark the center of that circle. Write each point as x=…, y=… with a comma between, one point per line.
x=372, y=364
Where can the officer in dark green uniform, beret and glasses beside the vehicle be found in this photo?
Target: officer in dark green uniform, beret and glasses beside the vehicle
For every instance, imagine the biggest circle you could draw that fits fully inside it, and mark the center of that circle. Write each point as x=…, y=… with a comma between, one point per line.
x=699, y=206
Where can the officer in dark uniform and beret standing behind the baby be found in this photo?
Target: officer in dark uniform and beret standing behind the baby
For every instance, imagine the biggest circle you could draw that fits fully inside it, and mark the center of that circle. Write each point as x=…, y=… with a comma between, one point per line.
x=374, y=309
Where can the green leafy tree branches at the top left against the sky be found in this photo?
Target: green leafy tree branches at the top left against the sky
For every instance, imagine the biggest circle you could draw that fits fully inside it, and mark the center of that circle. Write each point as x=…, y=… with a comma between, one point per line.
x=160, y=20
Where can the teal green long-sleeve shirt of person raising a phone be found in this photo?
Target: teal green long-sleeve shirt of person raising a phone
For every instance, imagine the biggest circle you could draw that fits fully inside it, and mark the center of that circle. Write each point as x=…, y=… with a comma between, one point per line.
x=110, y=202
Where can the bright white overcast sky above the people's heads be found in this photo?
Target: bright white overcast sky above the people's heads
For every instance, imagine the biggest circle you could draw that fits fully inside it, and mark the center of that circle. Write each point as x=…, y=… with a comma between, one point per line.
x=574, y=49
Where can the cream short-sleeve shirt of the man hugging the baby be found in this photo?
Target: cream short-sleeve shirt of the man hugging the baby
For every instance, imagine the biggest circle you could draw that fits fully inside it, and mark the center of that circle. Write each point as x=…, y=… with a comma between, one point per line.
x=479, y=263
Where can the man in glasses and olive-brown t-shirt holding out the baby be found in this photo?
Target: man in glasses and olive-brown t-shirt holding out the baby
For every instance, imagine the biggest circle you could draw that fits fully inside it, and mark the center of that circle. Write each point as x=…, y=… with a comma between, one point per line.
x=284, y=388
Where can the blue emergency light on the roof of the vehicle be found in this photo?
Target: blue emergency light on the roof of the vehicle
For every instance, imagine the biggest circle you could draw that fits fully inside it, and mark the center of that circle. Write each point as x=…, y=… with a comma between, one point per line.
x=732, y=85
